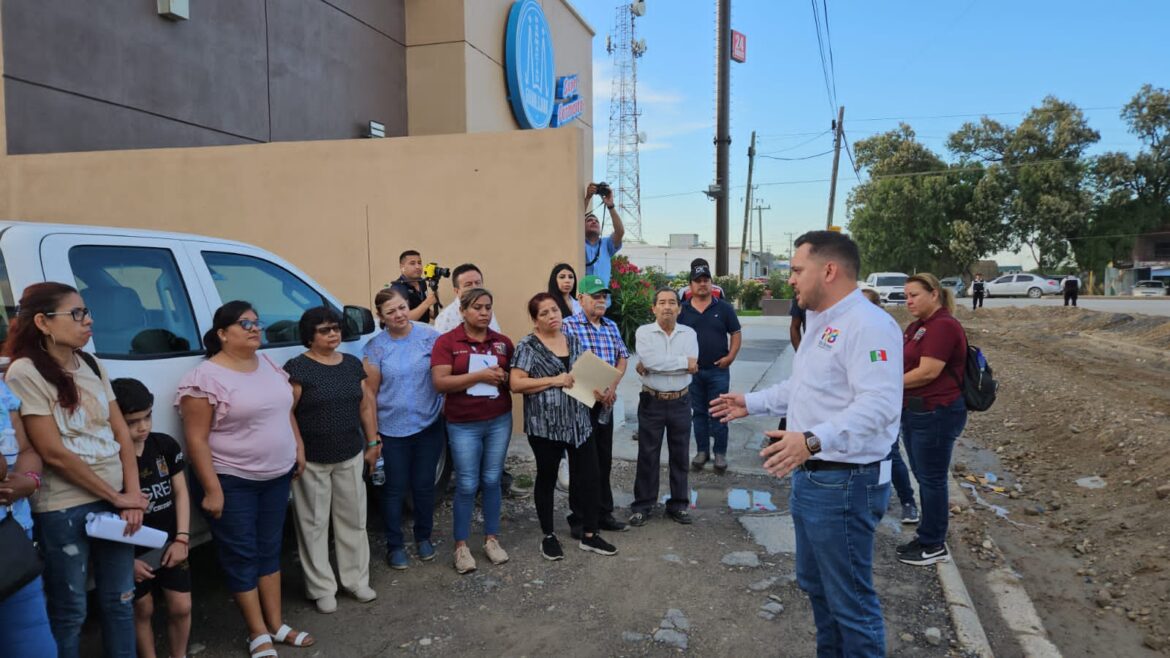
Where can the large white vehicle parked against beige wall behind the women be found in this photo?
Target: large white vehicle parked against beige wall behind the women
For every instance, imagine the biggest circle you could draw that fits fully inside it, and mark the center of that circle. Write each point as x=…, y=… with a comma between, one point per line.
x=154, y=294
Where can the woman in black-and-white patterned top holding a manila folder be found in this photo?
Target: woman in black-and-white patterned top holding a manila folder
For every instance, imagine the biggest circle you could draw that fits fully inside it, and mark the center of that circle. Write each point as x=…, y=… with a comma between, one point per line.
x=556, y=423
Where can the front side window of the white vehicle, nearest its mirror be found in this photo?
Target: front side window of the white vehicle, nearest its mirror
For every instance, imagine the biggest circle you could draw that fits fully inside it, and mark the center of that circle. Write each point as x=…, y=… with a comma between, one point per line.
x=279, y=296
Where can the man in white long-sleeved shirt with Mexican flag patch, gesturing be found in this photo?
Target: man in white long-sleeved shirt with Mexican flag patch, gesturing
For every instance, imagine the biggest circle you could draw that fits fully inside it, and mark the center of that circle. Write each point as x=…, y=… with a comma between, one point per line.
x=844, y=405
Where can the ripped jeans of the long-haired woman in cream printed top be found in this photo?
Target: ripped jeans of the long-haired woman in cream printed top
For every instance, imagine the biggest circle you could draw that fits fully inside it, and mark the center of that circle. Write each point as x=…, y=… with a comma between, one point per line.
x=68, y=552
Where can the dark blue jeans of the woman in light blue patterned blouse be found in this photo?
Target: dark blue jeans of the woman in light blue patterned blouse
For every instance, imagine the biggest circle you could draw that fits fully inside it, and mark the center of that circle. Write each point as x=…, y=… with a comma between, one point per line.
x=411, y=464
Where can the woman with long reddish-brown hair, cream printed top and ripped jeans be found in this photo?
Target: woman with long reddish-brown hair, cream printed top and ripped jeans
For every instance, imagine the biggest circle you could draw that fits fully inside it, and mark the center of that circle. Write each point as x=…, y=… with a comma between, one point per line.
x=74, y=423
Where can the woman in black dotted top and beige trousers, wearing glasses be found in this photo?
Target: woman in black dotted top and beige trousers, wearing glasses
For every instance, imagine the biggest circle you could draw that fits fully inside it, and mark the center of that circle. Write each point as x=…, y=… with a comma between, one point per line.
x=335, y=414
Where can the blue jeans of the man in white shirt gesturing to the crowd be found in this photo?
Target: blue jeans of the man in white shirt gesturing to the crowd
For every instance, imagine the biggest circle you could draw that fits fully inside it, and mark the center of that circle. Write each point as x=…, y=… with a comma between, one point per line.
x=836, y=515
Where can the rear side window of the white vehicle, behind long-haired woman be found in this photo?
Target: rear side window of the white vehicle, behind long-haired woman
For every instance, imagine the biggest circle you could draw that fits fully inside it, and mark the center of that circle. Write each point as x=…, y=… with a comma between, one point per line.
x=140, y=304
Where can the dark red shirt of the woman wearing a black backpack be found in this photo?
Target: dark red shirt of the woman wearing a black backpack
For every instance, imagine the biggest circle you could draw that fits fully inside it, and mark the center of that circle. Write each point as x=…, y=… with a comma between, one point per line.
x=939, y=337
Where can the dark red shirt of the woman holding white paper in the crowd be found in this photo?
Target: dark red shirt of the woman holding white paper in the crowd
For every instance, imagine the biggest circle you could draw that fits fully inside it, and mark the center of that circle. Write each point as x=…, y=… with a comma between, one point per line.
x=456, y=349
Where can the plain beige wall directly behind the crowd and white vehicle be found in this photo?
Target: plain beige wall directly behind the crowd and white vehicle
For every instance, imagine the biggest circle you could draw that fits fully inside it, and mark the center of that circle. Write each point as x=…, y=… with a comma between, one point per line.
x=342, y=211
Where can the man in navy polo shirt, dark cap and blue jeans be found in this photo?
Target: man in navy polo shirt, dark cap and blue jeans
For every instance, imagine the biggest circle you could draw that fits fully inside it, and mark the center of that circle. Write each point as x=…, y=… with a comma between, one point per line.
x=718, y=328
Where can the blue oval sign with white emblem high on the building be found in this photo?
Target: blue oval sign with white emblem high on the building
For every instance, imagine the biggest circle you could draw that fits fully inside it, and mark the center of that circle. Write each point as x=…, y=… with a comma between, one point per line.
x=529, y=65
